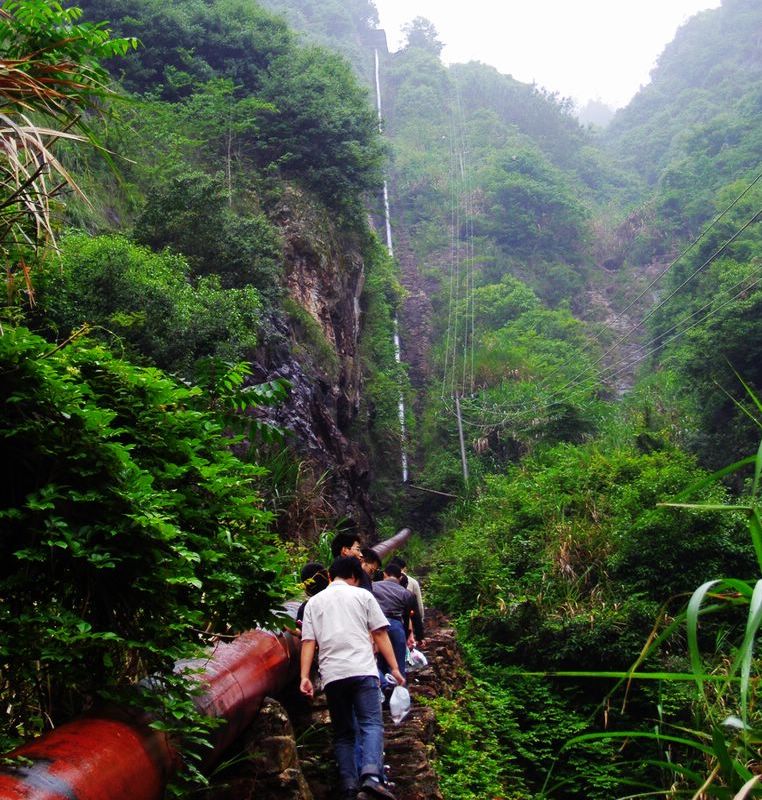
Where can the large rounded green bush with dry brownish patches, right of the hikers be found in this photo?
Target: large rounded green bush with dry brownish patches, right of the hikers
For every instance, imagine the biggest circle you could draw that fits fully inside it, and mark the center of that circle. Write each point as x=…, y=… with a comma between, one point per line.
x=571, y=542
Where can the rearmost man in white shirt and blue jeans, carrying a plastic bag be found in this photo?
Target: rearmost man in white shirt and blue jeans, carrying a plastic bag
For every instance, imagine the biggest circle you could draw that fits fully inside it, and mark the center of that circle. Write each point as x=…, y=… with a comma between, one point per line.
x=340, y=622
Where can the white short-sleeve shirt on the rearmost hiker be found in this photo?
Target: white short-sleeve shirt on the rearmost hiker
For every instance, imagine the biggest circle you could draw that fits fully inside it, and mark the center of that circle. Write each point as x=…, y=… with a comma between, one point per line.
x=339, y=619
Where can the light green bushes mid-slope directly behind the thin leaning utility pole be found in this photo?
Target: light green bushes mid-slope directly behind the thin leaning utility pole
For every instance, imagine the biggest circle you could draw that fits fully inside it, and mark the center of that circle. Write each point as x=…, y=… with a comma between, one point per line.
x=535, y=384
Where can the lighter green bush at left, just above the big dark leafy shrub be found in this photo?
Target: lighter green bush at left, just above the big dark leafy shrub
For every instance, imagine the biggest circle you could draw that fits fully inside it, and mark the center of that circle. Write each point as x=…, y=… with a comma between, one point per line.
x=149, y=301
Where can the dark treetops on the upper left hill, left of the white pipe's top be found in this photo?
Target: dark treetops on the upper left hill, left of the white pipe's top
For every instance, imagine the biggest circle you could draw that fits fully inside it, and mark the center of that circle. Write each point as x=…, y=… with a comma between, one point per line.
x=316, y=125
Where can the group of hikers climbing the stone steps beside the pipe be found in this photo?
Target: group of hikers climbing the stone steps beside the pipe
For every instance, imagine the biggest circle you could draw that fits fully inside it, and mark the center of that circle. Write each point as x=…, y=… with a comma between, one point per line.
x=361, y=619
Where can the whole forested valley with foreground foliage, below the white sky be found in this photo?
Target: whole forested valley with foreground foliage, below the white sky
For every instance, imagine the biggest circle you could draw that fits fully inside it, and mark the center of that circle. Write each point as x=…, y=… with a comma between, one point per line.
x=198, y=363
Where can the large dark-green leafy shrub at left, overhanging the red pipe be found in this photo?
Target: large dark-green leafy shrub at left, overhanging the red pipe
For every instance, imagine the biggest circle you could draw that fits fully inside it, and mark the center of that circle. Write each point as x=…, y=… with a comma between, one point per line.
x=128, y=526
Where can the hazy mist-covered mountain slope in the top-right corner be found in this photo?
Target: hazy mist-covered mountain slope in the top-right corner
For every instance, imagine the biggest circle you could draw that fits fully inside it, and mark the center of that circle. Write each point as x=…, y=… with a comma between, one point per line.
x=695, y=126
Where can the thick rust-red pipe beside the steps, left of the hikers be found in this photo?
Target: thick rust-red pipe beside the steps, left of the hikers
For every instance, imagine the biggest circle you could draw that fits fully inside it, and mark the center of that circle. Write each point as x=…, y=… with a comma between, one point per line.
x=112, y=756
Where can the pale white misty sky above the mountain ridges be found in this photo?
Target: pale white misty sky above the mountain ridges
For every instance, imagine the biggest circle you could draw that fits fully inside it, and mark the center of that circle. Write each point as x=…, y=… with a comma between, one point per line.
x=585, y=49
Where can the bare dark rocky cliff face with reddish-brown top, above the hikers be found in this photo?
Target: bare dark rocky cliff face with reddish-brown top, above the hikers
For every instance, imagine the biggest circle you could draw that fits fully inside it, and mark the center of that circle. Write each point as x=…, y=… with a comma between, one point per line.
x=315, y=347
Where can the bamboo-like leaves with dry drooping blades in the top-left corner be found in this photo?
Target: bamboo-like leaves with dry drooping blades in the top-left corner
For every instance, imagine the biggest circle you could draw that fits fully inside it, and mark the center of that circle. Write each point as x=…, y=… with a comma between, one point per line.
x=50, y=72
